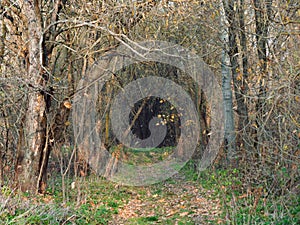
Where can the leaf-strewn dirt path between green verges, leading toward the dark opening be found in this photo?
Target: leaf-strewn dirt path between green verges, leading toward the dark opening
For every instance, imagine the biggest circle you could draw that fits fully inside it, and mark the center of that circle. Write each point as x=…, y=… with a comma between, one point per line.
x=176, y=202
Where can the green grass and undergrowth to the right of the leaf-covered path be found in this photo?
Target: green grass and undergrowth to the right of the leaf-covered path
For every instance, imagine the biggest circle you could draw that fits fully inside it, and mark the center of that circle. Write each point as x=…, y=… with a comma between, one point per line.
x=244, y=204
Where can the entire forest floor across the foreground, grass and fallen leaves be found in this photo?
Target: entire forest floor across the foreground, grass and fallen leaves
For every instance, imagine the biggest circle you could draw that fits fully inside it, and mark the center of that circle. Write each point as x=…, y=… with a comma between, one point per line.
x=212, y=197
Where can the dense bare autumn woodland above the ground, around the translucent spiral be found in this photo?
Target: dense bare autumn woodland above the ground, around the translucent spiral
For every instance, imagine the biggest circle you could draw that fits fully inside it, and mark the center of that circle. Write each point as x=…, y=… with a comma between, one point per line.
x=252, y=46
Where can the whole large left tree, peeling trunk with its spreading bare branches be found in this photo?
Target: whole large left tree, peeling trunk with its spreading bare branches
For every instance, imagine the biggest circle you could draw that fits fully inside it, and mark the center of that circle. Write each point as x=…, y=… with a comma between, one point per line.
x=44, y=121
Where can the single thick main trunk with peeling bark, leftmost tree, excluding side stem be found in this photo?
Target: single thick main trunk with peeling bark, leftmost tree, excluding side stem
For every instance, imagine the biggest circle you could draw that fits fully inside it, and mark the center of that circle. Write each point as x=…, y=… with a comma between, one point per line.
x=33, y=144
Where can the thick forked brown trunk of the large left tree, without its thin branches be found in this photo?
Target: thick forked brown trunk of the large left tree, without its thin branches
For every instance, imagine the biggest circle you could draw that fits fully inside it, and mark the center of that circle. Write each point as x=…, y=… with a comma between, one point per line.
x=34, y=150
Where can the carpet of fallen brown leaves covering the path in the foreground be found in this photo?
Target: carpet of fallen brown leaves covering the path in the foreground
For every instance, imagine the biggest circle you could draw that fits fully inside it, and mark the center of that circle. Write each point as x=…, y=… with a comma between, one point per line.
x=180, y=200
